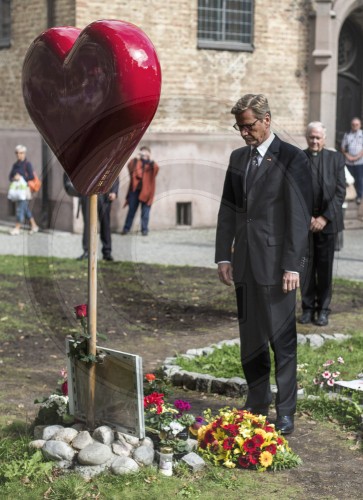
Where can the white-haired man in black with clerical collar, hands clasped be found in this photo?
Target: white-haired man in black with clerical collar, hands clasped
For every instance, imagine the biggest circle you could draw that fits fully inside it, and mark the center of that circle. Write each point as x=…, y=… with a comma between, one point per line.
x=328, y=176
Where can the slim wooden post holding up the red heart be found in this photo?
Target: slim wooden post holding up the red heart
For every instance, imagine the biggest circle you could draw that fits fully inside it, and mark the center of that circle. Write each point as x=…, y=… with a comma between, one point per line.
x=92, y=305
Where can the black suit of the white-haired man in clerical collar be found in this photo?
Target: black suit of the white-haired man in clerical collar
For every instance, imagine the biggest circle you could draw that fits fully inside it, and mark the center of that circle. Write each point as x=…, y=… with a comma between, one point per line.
x=329, y=193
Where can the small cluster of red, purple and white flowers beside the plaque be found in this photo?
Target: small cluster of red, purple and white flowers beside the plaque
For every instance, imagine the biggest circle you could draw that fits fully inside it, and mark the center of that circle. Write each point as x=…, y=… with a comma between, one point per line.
x=167, y=421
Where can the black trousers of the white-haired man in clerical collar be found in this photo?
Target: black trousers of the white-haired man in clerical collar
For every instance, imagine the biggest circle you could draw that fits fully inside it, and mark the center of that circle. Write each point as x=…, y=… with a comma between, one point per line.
x=316, y=290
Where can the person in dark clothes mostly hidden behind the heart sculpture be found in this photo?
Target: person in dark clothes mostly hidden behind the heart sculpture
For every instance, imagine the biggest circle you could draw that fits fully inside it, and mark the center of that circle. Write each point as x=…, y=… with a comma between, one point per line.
x=104, y=203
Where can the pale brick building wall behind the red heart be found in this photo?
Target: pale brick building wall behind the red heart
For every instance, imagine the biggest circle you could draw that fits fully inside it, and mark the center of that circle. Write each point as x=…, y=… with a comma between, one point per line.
x=192, y=126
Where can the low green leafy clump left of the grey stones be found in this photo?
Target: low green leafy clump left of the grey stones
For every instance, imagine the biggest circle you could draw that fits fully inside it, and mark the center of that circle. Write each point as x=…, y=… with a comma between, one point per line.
x=28, y=466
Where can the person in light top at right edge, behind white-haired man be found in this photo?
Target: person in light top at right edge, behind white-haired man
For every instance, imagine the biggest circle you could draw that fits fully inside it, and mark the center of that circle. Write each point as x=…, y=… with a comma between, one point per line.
x=352, y=149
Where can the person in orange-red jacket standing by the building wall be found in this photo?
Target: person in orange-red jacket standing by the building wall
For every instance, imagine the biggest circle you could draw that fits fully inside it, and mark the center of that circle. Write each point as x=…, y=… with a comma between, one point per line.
x=143, y=172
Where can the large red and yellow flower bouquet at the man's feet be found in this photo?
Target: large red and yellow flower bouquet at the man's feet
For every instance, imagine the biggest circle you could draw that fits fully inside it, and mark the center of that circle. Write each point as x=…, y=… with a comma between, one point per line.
x=237, y=438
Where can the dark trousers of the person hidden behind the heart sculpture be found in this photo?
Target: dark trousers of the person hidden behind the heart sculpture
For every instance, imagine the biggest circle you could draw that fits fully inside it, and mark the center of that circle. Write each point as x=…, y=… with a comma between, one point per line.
x=104, y=216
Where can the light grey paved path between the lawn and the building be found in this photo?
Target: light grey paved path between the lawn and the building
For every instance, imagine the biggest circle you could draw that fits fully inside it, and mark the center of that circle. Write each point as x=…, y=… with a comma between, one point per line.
x=194, y=247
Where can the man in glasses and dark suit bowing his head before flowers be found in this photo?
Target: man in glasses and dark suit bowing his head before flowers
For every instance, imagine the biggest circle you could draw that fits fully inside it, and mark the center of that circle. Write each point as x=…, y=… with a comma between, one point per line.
x=261, y=243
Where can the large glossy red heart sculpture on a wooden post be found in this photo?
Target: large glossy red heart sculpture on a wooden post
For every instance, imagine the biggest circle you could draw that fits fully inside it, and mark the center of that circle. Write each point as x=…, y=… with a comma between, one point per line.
x=92, y=94
